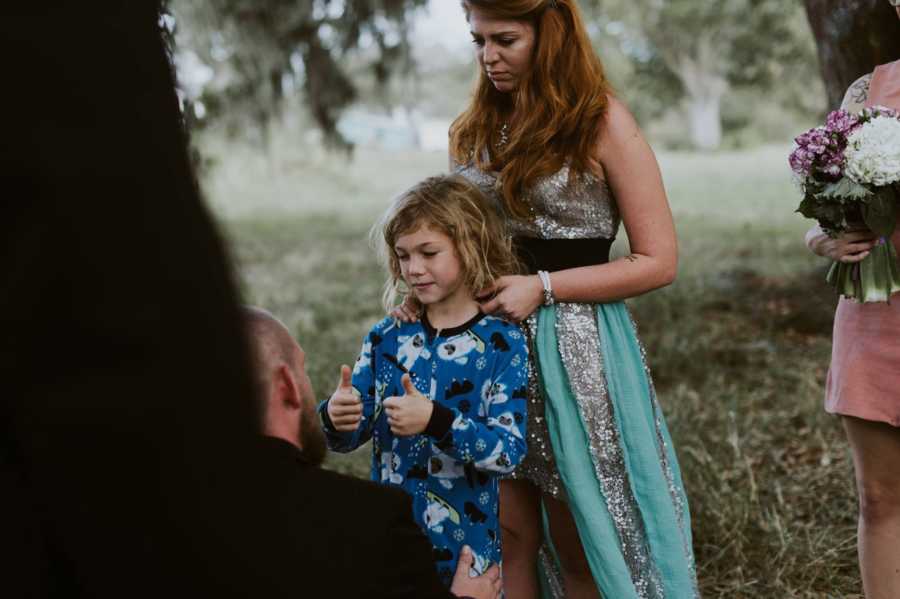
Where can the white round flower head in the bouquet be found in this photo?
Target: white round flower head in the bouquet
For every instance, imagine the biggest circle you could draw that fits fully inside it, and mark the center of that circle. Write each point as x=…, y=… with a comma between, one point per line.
x=873, y=152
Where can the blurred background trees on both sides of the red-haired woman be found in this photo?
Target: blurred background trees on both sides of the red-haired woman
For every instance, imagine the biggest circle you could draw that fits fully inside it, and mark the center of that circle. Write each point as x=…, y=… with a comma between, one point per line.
x=708, y=66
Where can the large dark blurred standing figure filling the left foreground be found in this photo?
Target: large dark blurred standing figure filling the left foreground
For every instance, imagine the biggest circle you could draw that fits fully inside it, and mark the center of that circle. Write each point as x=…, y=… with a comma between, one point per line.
x=127, y=464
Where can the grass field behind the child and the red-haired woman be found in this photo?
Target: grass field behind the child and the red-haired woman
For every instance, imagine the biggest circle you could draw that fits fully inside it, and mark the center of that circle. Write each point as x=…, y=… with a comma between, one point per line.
x=738, y=345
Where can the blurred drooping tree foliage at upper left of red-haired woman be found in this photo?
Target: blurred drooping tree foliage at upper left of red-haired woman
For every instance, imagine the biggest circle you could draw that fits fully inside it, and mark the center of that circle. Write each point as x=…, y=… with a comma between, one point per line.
x=260, y=51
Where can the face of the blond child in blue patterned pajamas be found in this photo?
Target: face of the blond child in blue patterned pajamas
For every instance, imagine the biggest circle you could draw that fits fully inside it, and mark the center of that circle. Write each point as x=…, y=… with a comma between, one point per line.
x=430, y=266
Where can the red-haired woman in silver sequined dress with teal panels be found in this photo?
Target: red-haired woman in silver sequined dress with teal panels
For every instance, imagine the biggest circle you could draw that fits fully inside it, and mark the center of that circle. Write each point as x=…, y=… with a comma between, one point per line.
x=566, y=162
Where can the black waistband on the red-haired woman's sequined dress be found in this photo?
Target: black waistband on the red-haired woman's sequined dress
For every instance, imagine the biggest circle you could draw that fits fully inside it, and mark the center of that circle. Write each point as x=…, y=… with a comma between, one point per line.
x=560, y=254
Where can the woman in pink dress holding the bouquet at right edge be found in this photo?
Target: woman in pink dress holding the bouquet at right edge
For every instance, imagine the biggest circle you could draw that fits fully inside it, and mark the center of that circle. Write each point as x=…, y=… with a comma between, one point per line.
x=864, y=379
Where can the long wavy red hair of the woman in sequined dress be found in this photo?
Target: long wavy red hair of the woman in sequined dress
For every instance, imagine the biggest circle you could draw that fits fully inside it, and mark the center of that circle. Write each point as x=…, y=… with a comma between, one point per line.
x=559, y=104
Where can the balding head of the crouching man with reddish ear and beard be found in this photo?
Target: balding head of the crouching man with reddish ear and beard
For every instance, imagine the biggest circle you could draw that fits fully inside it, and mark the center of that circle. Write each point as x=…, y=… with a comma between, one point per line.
x=287, y=404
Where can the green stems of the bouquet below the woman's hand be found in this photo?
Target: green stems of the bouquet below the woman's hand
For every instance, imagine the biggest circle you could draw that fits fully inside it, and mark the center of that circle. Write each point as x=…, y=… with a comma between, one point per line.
x=872, y=280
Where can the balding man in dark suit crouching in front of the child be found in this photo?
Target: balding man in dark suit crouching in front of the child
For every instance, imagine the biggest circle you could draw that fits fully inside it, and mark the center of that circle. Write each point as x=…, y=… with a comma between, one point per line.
x=358, y=538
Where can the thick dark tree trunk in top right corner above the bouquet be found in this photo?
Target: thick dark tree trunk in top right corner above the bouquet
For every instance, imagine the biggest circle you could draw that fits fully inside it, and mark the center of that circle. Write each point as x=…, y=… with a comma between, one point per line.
x=852, y=36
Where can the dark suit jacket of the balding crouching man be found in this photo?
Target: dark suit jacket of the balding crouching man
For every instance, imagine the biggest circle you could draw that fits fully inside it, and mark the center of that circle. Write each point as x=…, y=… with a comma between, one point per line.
x=358, y=538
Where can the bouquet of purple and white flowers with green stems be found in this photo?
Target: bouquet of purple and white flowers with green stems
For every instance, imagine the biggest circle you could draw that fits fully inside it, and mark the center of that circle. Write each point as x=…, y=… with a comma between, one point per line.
x=849, y=172
